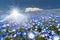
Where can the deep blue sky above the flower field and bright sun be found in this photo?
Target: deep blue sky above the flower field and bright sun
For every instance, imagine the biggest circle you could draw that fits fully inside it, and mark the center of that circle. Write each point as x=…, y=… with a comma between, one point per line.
x=44, y=4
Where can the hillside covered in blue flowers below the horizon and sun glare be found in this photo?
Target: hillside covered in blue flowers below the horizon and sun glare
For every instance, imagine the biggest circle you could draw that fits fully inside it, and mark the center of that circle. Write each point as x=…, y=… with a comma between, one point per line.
x=40, y=25
